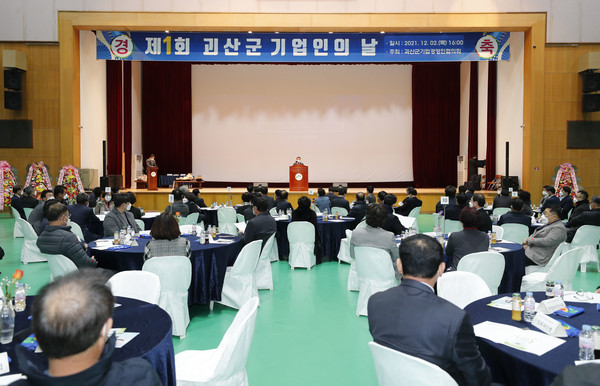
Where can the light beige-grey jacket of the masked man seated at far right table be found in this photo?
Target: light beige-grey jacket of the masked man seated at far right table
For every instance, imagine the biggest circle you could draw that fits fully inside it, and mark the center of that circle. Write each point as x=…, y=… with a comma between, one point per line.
x=544, y=241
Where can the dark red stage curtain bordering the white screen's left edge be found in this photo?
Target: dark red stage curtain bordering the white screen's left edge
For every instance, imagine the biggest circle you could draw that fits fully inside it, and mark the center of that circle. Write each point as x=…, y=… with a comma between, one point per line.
x=167, y=115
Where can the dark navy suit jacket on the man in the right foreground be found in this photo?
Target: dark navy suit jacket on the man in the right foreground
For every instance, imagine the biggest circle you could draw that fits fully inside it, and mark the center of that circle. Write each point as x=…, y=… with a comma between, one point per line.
x=412, y=319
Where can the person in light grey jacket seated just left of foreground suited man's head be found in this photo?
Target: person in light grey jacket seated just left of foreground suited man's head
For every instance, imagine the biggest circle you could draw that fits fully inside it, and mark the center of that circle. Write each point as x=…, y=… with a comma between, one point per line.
x=373, y=234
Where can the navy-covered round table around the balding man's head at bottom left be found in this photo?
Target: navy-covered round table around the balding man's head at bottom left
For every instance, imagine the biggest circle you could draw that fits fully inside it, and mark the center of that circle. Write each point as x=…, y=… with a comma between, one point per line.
x=154, y=342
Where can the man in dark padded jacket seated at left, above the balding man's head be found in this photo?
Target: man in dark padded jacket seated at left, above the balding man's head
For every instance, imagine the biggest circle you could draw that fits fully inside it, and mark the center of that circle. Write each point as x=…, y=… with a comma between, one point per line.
x=57, y=238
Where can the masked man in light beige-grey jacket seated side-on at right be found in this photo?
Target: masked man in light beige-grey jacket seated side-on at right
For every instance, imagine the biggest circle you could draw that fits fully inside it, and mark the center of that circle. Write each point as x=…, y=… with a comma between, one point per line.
x=540, y=246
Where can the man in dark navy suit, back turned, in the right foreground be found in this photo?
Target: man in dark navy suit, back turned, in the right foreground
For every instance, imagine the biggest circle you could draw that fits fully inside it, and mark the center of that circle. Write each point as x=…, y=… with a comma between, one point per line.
x=412, y=319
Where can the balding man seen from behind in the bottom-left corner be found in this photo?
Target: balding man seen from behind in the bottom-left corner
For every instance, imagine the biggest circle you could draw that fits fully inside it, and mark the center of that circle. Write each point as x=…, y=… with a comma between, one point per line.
x=75, y=339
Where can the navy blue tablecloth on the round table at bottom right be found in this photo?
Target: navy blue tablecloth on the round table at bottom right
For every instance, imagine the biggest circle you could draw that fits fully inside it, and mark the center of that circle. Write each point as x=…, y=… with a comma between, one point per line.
x=513, y=367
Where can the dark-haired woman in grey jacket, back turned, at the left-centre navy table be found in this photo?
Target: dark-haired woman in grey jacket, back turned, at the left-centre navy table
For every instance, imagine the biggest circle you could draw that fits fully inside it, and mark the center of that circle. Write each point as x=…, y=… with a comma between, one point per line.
x=165, y=238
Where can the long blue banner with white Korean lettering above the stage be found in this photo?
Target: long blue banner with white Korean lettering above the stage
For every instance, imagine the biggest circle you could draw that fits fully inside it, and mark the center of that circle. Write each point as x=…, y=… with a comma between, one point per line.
x=302, y=47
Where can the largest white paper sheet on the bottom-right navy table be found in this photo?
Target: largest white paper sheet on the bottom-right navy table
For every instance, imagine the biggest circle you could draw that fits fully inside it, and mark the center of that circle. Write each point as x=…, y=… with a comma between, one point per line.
x=529, y=341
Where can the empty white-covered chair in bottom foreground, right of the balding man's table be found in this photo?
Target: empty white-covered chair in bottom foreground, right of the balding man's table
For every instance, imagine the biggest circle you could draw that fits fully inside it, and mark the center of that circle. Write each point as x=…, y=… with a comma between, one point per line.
x=225, y=365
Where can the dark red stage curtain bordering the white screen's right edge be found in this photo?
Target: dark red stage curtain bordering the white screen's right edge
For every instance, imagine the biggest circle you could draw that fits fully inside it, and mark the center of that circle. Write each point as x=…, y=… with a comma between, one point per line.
x=436, y=123
